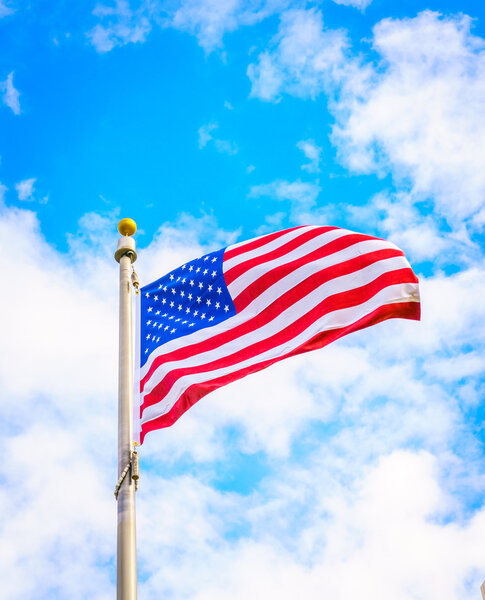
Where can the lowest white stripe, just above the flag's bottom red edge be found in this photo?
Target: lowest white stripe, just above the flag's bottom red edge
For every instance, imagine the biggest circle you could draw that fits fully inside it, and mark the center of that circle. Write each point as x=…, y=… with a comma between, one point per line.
x=335, y=320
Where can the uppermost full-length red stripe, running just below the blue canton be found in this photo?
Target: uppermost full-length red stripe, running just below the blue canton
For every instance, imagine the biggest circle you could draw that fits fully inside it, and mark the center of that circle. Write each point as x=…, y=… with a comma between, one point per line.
x=272, y=310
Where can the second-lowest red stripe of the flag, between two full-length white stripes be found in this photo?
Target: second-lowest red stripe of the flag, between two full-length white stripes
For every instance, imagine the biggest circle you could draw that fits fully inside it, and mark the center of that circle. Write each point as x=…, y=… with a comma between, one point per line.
x=332, y=303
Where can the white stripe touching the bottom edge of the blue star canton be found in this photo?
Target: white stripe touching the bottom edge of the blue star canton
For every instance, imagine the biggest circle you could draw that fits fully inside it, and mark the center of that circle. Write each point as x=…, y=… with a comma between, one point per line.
x=267, y=297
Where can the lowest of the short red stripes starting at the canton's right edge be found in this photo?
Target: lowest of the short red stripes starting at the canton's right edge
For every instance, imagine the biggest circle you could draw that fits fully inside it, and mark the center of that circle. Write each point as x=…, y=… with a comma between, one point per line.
x=258, y=286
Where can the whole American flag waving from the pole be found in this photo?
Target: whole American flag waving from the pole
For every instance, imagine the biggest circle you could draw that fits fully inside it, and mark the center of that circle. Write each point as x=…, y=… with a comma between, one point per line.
x=240, y=309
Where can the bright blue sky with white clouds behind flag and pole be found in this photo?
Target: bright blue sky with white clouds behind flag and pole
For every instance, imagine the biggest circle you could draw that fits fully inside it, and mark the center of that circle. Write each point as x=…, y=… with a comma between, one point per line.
x=355, y=470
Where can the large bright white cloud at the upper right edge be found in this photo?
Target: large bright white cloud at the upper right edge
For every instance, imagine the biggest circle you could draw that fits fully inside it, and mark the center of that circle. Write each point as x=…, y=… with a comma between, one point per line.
x=421, y=113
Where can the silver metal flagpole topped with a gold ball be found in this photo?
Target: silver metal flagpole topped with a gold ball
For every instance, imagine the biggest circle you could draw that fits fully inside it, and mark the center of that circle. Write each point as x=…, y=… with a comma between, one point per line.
x=126, y=534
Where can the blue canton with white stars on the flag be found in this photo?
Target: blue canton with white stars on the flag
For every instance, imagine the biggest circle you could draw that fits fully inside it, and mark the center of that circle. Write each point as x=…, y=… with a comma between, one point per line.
x=192, y=297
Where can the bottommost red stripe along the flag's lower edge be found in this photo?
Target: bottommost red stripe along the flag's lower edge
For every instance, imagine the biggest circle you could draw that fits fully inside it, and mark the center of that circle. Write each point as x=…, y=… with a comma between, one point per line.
x=403, y=310
